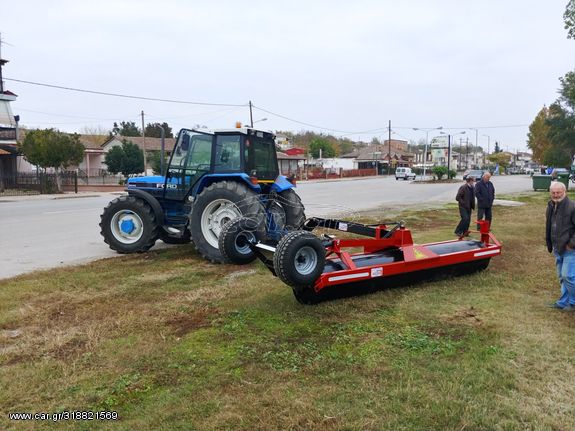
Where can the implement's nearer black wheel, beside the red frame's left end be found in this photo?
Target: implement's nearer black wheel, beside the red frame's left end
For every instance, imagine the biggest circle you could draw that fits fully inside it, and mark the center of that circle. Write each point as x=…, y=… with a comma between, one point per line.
x=299, y=260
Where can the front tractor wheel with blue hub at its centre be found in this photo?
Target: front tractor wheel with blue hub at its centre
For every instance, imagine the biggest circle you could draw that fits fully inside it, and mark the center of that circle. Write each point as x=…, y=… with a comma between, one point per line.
x=128, y=225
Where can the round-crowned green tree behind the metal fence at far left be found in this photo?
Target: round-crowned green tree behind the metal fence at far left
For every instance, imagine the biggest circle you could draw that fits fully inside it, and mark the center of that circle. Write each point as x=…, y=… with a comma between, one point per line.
x=50, y=148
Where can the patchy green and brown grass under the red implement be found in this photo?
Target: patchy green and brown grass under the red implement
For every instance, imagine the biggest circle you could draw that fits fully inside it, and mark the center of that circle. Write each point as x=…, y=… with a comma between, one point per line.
x=172, y=342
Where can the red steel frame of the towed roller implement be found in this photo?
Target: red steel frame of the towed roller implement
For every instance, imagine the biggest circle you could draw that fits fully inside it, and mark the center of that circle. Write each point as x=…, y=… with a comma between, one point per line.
x=416, y=257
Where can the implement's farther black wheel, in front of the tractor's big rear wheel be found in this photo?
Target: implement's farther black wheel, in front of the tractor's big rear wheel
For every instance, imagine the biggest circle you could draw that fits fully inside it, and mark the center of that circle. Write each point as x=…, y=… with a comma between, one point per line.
x=233, y=241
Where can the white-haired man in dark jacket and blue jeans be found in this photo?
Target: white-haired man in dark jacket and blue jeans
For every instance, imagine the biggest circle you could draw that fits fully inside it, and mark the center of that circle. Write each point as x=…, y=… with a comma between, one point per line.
x=560, y=237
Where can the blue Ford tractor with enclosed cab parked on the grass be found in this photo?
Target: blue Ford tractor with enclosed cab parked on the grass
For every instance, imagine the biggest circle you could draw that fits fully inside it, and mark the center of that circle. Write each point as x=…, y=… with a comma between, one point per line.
x=211, y=179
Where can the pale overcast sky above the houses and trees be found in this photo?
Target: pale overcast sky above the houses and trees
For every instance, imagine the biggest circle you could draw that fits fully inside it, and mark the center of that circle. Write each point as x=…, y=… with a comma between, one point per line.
x=341, y=67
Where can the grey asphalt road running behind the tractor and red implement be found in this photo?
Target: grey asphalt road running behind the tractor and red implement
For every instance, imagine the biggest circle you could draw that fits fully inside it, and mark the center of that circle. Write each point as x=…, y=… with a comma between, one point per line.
x=47, y=232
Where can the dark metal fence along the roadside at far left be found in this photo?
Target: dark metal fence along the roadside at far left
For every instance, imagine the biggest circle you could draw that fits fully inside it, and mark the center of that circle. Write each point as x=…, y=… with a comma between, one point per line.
x=21, y=184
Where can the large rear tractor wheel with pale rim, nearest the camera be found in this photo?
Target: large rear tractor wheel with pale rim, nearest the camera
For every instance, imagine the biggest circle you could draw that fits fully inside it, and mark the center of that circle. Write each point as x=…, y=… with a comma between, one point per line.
x=214, y=207
